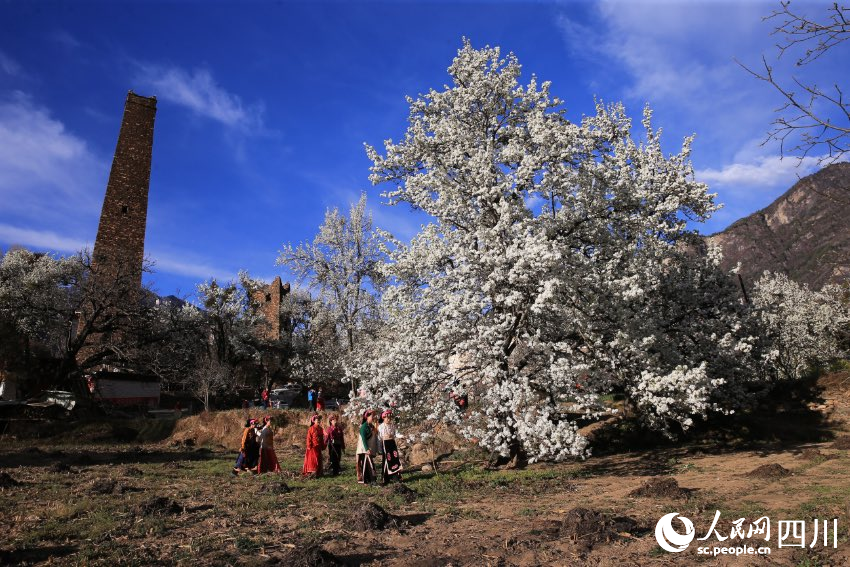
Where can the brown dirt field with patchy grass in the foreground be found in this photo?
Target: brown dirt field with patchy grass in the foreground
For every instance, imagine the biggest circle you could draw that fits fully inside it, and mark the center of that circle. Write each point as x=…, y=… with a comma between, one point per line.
x=97, y=503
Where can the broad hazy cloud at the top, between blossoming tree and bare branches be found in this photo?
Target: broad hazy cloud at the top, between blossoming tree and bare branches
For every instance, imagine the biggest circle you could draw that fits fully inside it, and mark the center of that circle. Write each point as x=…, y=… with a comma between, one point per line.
x=680, y=58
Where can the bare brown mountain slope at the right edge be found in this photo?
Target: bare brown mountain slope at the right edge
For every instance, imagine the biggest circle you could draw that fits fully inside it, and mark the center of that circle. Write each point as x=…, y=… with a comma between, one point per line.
x=805, y=233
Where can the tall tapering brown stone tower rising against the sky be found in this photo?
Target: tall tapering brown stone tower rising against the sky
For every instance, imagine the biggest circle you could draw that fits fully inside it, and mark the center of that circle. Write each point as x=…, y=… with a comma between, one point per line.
x=120, y=242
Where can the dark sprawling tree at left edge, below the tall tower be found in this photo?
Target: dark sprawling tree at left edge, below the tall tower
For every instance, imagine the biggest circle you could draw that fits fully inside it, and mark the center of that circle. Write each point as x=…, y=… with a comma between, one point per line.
x=84, y=316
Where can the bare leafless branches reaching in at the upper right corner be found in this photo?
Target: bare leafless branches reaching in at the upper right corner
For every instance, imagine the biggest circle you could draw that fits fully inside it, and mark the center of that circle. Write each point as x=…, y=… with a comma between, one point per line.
x=812, y=120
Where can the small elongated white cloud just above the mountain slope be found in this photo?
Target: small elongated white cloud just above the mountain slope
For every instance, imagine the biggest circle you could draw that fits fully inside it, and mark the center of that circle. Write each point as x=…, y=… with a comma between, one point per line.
x=765, y=171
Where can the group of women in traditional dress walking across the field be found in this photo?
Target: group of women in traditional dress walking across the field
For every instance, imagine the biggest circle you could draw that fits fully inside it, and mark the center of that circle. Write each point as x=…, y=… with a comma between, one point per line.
x=257, y=454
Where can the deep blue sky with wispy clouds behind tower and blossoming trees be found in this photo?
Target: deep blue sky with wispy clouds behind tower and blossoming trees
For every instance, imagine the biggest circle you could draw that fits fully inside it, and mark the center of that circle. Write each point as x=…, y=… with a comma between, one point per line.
x=263, y=108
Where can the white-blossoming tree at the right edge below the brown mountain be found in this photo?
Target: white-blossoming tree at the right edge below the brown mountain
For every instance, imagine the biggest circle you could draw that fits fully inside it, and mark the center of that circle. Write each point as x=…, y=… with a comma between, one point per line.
x=807, y=328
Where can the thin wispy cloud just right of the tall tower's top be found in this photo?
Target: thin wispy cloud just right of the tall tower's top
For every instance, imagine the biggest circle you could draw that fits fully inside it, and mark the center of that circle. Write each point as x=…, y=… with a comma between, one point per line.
x=198, y=91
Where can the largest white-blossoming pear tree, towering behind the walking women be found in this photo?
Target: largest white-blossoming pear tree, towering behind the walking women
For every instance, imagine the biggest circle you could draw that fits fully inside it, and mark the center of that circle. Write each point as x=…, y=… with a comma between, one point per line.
x=558, y=267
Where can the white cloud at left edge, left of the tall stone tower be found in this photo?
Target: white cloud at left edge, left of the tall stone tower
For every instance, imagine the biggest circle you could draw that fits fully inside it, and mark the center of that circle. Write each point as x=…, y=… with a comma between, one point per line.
x=43, y=167
